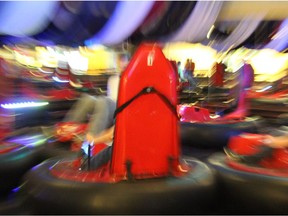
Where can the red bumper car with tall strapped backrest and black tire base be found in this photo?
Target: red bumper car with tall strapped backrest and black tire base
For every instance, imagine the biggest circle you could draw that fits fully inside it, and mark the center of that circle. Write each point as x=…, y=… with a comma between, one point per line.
x=146, y=174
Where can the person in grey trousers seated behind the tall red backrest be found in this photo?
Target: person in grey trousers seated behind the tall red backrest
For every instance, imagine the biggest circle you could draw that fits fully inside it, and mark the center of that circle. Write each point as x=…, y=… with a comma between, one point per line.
x=99, y=112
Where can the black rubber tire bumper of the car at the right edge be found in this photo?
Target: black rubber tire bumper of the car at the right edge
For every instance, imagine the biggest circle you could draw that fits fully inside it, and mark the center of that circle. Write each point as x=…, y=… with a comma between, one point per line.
x=249, y=193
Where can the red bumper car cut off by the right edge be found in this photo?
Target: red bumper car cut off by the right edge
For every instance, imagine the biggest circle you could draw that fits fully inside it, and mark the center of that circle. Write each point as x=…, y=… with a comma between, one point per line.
x=253, y=176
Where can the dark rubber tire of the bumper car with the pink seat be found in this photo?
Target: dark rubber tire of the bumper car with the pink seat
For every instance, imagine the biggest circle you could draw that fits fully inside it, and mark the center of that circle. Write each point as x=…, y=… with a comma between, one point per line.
x=216, y=136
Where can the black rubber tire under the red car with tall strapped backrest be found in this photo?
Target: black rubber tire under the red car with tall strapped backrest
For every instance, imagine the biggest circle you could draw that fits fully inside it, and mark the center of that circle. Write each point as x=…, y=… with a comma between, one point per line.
x=191, y=194
